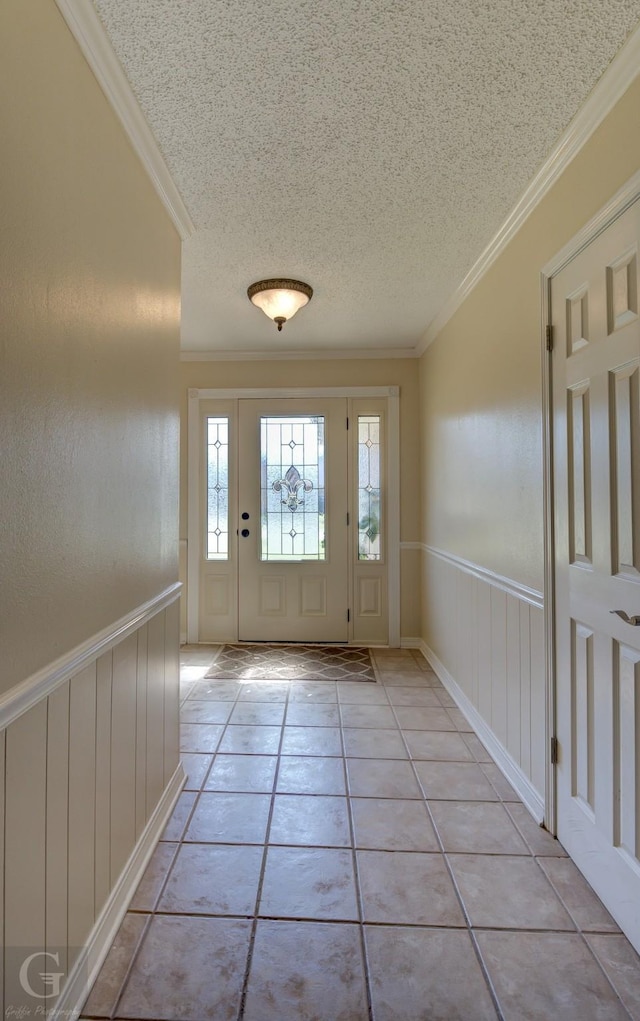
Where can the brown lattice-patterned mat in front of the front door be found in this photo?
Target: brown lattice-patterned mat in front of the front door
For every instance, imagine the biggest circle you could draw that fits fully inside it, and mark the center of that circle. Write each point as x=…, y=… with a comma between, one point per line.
x=292, y=663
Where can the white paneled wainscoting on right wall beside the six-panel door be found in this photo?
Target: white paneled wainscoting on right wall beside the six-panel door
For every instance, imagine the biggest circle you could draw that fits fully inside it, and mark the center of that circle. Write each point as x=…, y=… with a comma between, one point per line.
x=484, y=637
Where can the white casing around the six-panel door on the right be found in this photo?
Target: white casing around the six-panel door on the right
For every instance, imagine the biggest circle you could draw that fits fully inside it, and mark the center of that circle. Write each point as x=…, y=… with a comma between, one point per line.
x=618, y=205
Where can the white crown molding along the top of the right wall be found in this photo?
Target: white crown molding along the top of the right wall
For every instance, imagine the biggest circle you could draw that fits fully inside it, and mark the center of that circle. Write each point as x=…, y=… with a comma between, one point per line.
x=623, y=70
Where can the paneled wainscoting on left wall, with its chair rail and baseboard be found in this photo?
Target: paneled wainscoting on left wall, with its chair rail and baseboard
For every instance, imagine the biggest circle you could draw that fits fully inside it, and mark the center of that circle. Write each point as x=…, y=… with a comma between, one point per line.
x=89, y=773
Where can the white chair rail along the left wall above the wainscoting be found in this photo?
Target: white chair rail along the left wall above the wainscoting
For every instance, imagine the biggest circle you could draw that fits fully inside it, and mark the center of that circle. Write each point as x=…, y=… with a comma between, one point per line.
x=40, y=686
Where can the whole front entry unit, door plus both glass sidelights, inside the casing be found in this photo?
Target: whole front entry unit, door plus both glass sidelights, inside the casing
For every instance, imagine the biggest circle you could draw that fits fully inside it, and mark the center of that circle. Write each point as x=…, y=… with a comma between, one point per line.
x=293, y=512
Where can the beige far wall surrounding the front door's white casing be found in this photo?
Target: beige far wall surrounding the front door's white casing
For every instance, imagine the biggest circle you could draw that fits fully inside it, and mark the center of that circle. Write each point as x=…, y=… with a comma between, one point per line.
x=375, y=372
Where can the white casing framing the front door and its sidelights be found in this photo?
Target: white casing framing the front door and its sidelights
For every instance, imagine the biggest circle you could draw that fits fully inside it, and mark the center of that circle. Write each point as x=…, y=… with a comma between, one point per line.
x=194, y=537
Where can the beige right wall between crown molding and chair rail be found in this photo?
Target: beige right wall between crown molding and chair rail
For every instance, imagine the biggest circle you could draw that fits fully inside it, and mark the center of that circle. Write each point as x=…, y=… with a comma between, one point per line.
x=481, y=380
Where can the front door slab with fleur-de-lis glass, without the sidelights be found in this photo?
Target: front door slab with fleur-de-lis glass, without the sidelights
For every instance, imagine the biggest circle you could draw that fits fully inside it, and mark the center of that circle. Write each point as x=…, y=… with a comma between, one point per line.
x=293, y=506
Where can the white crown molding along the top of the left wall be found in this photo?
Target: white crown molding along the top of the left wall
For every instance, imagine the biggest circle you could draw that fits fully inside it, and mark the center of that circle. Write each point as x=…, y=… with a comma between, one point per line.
x=89, y=33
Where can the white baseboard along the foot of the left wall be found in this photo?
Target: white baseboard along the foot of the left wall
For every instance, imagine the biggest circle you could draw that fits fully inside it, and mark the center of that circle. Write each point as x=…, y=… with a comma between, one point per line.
x=91, y=959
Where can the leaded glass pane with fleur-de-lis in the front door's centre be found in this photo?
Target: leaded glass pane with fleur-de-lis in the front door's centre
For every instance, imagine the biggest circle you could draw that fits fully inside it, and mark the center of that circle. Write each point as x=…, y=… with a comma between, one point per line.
x=292, y=488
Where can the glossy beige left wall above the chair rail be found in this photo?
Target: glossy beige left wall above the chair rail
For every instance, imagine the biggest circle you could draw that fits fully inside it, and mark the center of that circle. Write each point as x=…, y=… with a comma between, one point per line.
x=90, y=271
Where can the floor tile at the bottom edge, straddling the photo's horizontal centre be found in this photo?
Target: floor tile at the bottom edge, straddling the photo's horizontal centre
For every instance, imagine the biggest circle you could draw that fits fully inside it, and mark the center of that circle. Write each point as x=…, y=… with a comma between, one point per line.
x=304, y=970
